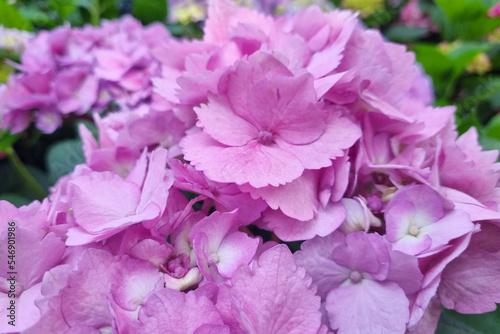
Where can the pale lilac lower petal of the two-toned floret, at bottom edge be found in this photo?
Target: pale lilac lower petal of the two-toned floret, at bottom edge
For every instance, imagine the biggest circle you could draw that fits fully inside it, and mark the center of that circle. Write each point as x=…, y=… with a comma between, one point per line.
x=368, y=307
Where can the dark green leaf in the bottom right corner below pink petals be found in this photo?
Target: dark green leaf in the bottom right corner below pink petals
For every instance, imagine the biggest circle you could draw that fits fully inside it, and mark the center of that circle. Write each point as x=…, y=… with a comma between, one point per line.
x=452, y=322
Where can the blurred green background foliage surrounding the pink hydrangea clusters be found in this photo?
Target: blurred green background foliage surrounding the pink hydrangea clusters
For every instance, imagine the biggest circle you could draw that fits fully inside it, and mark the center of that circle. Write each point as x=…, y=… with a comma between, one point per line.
x=456, y=42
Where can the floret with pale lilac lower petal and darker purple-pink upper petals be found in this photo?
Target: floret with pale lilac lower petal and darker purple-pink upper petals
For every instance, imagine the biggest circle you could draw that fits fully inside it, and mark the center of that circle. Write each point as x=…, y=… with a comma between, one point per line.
x=362, y=281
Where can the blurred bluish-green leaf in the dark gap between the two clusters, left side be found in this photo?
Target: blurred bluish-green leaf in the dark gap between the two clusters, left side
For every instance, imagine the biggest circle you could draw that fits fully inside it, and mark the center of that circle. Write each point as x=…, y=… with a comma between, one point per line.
x=63, y=156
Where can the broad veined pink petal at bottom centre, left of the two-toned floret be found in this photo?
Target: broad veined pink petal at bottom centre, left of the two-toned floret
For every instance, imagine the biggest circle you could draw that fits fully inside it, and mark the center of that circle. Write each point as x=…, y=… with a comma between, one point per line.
x=273, y=297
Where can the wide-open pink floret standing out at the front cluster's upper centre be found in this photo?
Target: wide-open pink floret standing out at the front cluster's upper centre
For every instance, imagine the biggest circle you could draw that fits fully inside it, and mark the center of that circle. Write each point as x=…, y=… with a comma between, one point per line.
x=266, y=129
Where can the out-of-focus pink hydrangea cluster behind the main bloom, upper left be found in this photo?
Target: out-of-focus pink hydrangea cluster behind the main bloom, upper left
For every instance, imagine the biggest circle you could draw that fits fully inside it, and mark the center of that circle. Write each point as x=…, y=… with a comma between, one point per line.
x=73, y=71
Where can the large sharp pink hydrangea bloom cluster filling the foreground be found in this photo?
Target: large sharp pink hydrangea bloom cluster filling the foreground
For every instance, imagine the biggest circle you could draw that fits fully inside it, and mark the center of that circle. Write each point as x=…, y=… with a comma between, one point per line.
x=308, y=126
